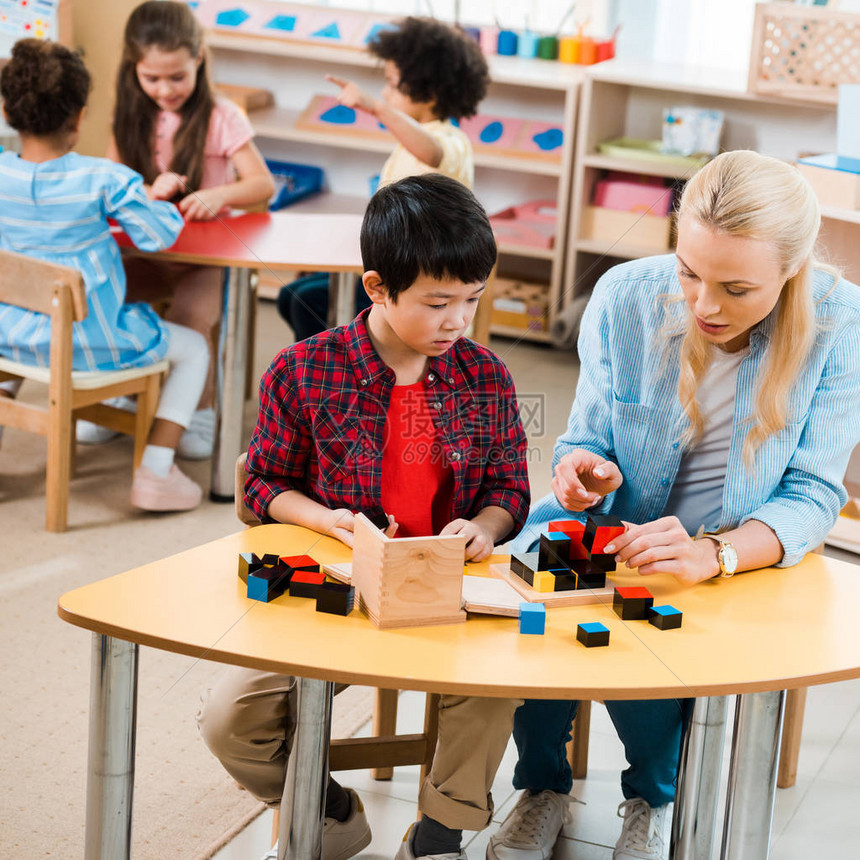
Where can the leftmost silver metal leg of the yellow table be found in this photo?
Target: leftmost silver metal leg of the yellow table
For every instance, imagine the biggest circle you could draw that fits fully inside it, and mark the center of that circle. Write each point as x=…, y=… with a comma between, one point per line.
x=113, y=717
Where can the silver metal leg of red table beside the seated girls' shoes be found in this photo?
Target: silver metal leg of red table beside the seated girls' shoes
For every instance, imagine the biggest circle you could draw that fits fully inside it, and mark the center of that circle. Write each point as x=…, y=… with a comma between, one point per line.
x=230, y=382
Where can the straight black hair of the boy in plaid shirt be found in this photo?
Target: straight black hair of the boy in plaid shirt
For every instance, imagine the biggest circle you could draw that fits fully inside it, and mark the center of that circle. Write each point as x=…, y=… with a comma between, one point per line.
x=428, y=225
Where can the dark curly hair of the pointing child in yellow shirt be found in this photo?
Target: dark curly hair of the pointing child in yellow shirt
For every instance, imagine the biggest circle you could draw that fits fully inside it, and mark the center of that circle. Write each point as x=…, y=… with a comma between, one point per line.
x=437, y=63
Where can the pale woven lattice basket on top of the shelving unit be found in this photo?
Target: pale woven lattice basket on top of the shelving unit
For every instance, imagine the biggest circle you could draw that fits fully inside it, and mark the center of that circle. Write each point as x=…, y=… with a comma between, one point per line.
x=804, y=52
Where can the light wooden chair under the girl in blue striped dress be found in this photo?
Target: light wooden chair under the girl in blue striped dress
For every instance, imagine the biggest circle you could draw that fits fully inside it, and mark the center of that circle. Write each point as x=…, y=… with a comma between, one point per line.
x=58, y=292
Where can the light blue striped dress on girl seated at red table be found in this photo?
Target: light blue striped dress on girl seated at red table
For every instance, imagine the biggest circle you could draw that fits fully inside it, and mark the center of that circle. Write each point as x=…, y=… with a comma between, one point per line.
x=57, y=211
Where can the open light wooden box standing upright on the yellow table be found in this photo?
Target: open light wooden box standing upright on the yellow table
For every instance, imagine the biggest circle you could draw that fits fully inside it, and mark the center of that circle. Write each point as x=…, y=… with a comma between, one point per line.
x=407, y=582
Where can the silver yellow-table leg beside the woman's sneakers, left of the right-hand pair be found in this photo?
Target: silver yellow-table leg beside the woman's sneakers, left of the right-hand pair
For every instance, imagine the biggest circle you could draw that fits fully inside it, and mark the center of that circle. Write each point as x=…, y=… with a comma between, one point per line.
x=695, y=818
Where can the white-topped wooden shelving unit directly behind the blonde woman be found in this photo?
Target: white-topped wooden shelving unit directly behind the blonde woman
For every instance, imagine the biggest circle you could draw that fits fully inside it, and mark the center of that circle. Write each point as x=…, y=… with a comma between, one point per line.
x=624, y=98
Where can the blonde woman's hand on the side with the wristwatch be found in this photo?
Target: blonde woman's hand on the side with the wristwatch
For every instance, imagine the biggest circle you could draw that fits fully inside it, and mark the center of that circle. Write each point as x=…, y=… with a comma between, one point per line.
x=663, y=546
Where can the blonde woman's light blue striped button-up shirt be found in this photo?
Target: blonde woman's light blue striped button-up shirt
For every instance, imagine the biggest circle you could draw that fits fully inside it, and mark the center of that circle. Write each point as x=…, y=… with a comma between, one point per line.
x=627, y=410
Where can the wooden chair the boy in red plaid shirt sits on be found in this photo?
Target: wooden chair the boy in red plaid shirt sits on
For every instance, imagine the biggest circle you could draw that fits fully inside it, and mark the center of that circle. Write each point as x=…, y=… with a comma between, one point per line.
x=385, y=749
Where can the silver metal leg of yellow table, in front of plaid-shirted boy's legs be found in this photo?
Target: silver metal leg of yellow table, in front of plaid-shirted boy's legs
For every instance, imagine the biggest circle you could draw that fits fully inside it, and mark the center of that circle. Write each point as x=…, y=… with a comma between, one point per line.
x=303, y=803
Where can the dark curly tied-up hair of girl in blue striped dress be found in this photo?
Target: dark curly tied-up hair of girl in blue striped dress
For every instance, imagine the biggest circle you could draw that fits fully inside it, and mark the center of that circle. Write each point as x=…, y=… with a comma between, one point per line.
x=44, y=87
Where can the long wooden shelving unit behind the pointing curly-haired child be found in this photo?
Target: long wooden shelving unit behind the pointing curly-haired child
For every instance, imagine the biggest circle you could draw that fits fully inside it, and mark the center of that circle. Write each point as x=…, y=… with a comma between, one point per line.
x=521, y=88
